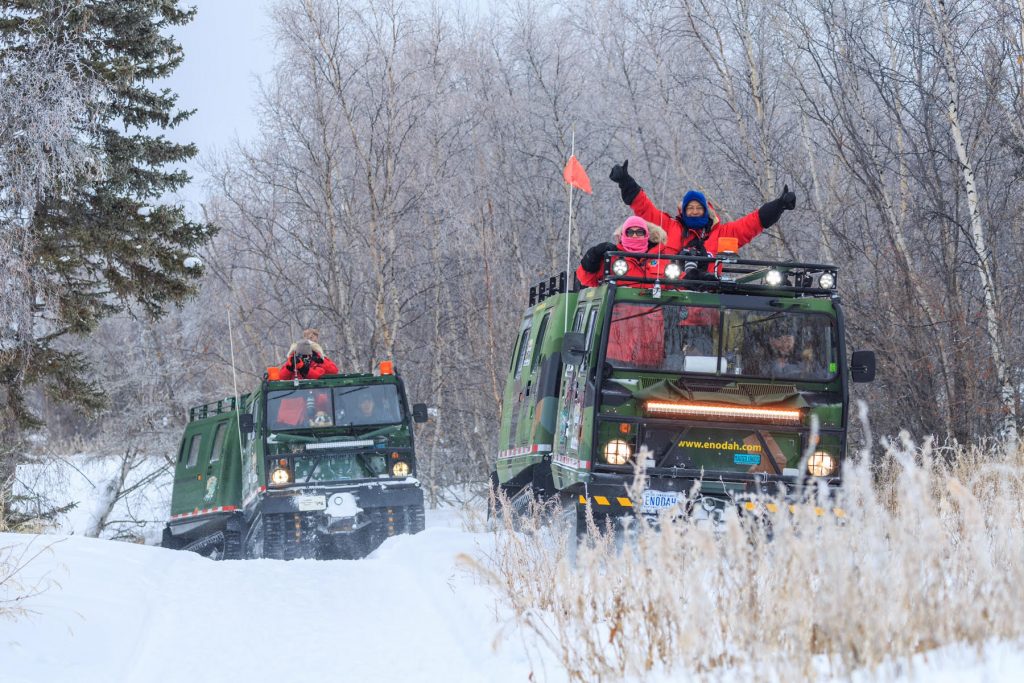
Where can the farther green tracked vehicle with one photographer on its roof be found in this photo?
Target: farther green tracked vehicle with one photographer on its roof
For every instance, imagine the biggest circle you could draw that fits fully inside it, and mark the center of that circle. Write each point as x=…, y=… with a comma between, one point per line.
x=298, y=469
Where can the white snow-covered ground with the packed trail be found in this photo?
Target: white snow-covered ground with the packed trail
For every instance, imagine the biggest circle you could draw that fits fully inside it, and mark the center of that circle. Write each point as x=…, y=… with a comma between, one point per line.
x=412, y=612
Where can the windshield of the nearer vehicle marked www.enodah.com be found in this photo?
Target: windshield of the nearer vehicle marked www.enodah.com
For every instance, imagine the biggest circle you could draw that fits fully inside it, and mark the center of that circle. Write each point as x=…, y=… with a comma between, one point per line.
x=759, y=345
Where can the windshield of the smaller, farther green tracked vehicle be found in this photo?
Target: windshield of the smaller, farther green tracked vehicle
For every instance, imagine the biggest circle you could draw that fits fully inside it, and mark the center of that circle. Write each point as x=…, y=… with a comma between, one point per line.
x=338, y=407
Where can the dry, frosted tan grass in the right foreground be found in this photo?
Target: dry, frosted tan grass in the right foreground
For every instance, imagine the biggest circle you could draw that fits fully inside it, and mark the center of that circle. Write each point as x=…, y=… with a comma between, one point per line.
x=927, y=553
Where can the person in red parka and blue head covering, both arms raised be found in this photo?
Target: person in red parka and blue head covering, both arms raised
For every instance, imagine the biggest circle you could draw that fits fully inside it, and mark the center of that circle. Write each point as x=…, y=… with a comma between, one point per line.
x=697, y=226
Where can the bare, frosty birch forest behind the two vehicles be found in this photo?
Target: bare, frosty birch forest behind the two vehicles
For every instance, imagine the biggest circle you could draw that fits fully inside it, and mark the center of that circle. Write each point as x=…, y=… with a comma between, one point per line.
x=406, y=191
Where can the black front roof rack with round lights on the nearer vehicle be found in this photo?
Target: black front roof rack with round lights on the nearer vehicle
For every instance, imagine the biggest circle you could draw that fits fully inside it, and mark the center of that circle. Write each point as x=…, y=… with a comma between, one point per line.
x=735, y=275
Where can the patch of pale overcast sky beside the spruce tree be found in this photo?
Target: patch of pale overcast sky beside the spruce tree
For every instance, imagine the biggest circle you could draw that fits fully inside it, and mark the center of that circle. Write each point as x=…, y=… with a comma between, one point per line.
x=227, y=48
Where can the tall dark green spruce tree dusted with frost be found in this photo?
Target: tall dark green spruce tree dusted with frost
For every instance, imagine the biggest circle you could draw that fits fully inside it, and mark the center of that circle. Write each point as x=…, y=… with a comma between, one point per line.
x=99, y=240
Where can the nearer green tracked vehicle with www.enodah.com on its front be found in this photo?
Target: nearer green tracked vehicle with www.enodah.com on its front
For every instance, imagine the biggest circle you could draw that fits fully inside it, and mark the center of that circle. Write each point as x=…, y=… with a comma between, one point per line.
x=741, y=383
